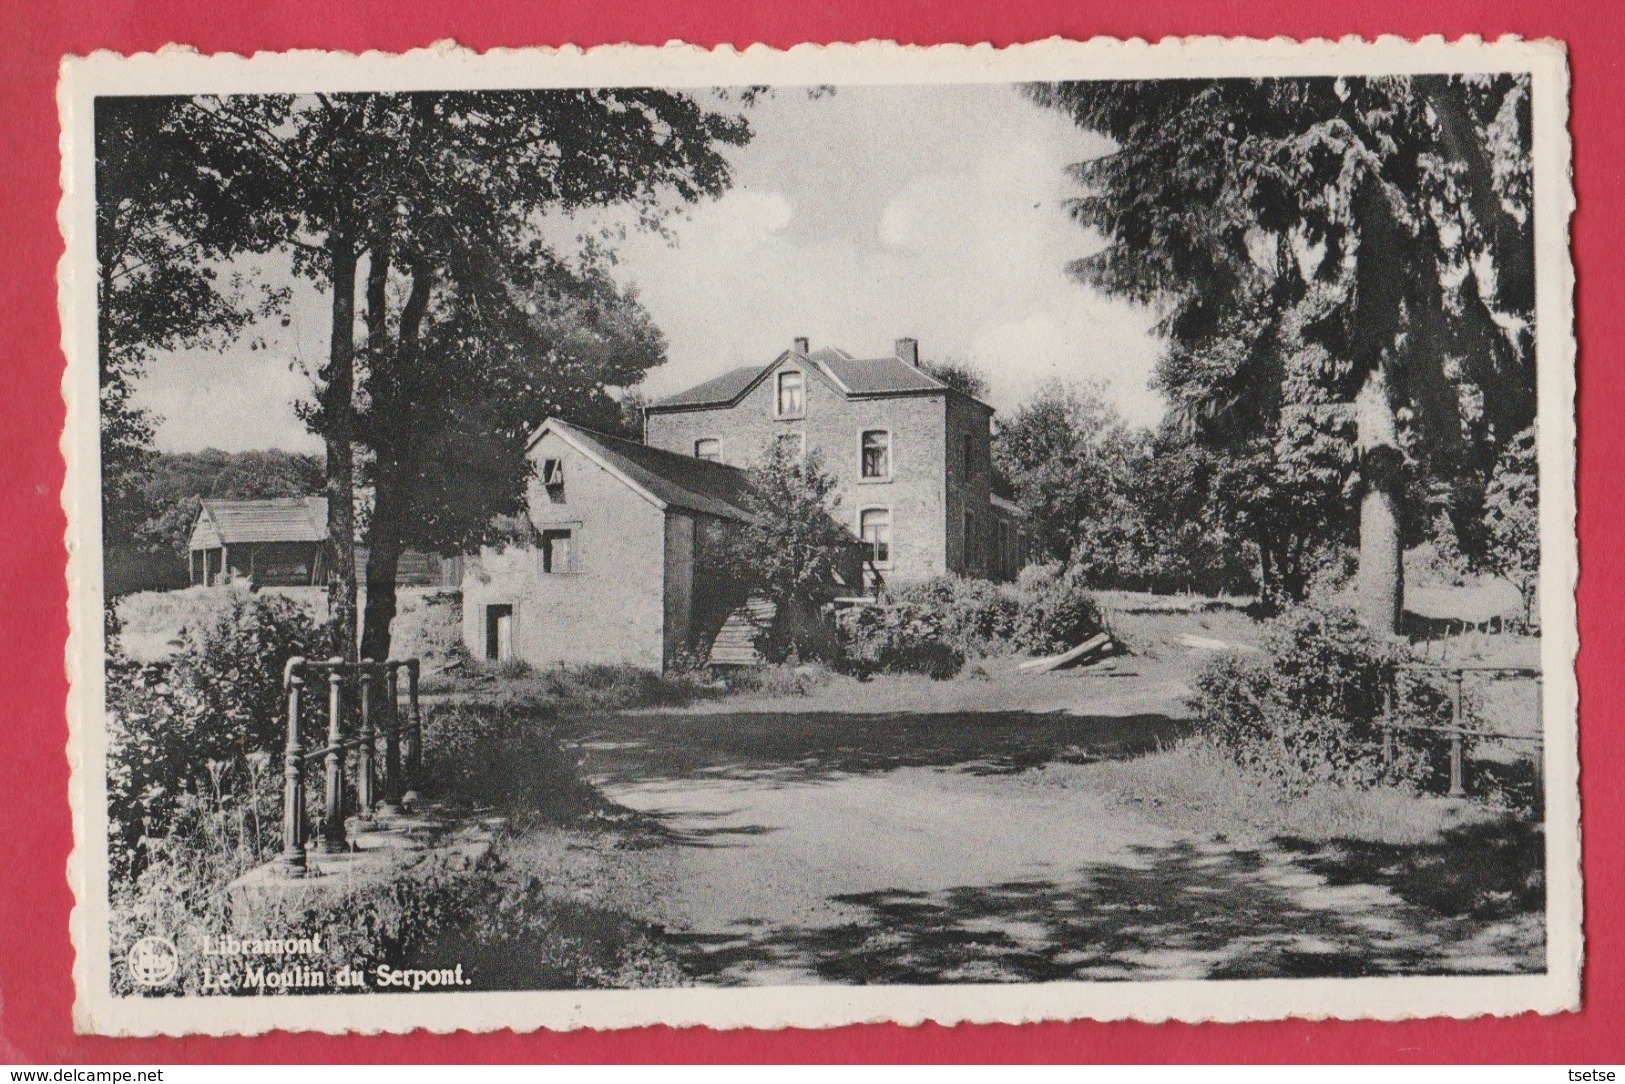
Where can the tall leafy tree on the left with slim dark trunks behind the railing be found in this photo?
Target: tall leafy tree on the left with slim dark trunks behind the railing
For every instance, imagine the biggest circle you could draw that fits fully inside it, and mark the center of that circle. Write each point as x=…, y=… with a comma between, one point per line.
x=435, y=199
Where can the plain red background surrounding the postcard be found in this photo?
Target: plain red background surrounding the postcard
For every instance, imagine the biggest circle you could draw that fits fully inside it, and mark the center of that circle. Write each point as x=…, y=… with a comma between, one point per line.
x=37, y=989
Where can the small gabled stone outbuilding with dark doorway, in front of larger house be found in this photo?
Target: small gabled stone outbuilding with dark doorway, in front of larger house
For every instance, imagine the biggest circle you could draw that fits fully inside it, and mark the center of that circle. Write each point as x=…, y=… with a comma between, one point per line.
x=617, y=562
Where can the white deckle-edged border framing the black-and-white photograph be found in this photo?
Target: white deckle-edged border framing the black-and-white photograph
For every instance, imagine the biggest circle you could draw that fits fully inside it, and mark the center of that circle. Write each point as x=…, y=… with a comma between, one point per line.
x=444, y=66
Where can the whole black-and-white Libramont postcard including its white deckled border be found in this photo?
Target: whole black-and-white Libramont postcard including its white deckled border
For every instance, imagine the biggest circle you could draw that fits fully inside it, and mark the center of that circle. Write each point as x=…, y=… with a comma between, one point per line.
x=794, y=539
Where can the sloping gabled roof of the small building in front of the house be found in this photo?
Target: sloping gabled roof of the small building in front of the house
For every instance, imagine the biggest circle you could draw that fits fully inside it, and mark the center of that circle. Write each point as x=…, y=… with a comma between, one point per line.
x=667, y=479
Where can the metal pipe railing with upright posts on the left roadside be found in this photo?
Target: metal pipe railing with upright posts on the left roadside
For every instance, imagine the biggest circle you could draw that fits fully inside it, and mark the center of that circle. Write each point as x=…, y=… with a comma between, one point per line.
x=373, y=796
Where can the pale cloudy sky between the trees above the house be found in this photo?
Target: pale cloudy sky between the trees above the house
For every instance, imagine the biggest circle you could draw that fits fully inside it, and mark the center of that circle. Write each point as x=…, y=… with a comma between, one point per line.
x=856, y=219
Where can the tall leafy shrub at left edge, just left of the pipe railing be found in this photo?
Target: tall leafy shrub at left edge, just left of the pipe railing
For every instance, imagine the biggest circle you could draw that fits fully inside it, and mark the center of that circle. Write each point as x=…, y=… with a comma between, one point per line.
x=196, y=724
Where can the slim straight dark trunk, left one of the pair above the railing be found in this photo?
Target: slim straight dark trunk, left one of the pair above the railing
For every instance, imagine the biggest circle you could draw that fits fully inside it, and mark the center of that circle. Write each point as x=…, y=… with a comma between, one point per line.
x=337, y=425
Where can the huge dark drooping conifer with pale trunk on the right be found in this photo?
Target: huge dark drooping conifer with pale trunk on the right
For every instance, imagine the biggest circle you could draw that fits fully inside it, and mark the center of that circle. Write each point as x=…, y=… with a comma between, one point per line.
x=1384, y=220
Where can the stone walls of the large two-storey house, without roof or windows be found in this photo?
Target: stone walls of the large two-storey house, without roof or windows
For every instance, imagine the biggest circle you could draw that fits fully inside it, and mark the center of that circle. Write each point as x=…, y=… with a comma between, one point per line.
x=940, y=457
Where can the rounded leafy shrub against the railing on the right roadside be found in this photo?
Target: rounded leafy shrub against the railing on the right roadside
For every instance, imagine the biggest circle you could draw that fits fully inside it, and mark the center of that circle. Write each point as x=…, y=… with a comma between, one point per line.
x=1309, y=711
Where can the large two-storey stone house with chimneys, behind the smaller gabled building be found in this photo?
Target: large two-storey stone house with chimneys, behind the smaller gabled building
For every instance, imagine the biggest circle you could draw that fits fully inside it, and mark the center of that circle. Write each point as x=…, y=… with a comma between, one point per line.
x=912, y=456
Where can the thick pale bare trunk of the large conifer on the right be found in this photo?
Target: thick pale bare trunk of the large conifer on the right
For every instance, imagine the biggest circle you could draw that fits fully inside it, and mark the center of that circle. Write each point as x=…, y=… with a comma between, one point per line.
x=1380, y=583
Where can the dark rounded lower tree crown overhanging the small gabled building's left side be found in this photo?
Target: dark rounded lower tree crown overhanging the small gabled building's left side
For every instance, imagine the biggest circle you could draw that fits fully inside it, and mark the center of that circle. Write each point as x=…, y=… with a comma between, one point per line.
x=449, y=428
